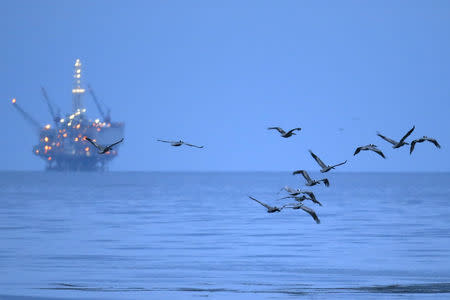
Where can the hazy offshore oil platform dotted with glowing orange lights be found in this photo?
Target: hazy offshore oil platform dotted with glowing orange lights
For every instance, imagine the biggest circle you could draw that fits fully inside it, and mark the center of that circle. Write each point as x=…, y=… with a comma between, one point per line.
x=62, y=145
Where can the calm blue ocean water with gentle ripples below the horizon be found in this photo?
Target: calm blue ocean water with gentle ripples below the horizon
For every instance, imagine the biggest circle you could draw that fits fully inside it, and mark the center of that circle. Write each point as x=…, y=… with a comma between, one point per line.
x=195, y=235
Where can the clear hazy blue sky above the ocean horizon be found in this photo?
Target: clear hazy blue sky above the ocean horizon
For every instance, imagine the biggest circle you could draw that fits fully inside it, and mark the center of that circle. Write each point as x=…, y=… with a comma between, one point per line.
x=219, y=73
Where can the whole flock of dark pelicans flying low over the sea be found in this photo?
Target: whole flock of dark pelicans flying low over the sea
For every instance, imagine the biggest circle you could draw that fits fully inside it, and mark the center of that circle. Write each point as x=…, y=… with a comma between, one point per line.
x=300, y=195
